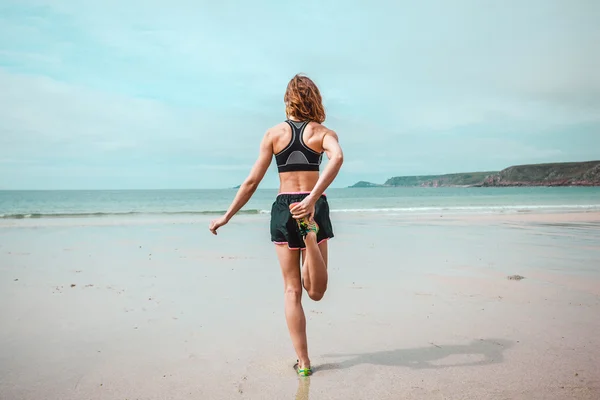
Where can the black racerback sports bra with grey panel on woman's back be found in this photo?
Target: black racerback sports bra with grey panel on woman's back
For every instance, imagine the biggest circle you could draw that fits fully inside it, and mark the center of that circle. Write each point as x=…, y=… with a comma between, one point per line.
x=297, y=156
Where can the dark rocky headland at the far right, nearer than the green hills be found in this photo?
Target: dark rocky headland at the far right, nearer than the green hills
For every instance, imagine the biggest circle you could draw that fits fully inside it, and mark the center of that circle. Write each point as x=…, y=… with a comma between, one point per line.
x=555, y=174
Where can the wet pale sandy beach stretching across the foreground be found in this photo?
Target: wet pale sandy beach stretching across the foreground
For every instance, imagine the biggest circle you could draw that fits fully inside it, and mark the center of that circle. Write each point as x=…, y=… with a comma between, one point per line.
x=418, y=307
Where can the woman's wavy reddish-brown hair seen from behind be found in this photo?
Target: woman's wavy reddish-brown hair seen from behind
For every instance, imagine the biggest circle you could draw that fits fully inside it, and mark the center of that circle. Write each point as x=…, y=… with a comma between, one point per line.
x=303, y=100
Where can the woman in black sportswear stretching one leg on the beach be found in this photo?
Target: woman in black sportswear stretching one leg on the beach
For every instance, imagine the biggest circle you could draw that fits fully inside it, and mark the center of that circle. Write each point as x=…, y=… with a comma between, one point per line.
x=300, y=224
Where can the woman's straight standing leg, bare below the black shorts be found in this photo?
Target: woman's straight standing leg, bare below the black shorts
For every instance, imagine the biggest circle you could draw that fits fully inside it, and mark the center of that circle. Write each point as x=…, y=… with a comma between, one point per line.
x=289, y=261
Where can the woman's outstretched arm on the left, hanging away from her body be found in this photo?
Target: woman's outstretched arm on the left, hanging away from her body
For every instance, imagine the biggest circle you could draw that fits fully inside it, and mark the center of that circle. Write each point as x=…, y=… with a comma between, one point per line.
x=250, y=184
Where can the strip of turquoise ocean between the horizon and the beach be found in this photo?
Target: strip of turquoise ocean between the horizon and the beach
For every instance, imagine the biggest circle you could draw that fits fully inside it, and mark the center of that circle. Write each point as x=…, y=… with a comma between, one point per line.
x=100, y=203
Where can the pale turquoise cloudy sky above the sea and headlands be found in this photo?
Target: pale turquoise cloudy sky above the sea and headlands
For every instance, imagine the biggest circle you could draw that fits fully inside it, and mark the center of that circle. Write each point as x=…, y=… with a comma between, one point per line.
x=155, y=94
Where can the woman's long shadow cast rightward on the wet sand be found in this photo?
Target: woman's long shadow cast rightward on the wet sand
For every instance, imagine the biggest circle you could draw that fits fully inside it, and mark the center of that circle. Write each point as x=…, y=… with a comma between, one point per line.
x=485, y=351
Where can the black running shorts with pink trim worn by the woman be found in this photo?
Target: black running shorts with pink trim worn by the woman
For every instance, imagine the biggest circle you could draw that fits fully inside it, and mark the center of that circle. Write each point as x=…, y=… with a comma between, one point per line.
x=284, y=229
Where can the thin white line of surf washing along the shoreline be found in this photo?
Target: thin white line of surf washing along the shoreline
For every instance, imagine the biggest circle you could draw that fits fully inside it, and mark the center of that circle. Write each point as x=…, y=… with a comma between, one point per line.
x=425, y=209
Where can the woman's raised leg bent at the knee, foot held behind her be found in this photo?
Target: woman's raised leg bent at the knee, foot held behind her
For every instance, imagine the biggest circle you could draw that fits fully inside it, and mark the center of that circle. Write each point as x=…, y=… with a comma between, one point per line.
x=314, y=267
